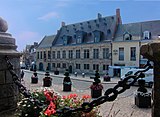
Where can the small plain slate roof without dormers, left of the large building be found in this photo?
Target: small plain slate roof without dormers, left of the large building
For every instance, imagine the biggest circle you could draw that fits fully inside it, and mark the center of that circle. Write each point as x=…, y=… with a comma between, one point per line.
x=46, y=41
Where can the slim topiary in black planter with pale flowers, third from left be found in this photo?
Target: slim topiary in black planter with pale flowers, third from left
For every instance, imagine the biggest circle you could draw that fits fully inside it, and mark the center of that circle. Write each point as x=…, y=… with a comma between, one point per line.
x=67, y=84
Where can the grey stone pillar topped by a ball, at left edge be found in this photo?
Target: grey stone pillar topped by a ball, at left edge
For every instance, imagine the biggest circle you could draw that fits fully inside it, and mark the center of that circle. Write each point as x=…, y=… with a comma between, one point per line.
x=8, y=90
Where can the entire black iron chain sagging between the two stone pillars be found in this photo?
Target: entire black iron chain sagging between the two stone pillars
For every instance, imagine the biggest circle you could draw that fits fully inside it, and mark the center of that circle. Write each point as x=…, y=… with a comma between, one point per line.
x=109, y=95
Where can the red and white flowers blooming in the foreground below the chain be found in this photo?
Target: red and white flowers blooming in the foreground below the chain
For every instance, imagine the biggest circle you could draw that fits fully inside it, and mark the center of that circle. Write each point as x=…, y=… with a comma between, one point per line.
x=52, y=101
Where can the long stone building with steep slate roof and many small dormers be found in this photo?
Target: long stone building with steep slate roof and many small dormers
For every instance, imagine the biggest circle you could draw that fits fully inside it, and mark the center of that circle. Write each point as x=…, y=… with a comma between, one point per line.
x=83, y=47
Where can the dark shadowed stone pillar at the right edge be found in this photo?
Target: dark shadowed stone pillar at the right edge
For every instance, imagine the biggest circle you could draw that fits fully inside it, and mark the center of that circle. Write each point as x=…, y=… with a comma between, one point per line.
x=152, y=52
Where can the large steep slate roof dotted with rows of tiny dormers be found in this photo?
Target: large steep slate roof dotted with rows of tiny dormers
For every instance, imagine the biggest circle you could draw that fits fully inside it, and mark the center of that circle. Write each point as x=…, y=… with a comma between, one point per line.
x=102, y=24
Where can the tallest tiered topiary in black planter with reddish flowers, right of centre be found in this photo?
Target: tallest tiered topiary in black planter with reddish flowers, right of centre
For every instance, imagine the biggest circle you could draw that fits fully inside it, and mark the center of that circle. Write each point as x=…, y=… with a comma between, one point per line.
x=96, y=87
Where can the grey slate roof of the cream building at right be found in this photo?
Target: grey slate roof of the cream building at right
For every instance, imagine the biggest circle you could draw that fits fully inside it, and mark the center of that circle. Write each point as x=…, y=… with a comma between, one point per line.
x=137, y=29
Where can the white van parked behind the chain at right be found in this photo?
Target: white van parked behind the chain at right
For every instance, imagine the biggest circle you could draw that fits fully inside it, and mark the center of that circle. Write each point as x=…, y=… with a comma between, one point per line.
x=148, y=76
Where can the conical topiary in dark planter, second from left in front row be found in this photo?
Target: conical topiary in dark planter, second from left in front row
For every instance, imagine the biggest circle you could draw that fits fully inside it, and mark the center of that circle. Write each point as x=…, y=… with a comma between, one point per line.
x=47, y=80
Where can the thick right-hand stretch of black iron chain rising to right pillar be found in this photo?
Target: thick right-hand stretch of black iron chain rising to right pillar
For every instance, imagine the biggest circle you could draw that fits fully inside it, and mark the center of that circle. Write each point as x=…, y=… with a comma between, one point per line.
x=110, y=94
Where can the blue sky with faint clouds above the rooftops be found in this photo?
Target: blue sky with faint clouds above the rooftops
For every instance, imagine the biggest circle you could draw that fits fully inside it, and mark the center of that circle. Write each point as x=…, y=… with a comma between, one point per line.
x=30, y=20
